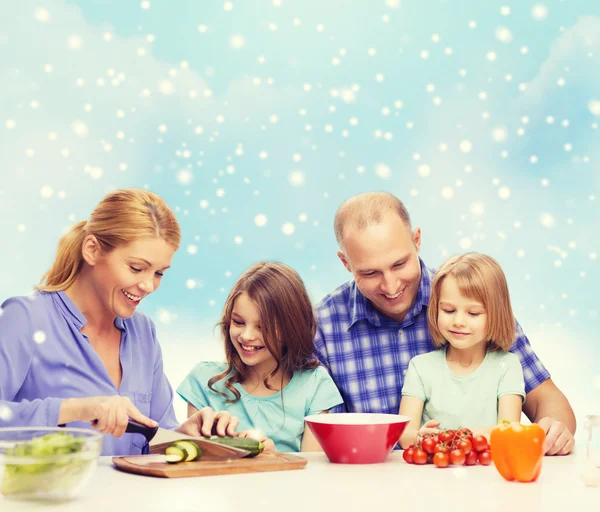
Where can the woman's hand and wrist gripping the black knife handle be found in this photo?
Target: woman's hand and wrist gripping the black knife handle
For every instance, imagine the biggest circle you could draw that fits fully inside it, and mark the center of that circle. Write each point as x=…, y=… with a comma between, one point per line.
x=107, y=414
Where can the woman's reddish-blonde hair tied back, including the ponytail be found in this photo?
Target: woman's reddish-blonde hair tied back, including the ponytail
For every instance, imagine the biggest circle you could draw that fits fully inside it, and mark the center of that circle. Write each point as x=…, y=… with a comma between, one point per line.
x=122, y=217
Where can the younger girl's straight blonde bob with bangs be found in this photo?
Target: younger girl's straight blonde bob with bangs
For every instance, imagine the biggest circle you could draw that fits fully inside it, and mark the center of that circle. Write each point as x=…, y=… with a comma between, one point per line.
x=480, y=278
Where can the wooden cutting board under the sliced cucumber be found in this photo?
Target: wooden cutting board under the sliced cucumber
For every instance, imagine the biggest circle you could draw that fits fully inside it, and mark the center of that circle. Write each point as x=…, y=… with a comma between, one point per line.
x=154, y=465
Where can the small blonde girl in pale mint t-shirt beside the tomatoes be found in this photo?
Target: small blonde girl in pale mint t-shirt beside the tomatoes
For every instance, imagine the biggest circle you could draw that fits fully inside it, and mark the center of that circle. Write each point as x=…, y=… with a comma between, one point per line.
x=472, y=380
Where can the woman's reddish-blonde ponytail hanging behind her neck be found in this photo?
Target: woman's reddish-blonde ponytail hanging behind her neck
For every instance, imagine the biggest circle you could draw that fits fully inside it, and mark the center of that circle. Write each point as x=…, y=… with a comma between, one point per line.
x=68, y=261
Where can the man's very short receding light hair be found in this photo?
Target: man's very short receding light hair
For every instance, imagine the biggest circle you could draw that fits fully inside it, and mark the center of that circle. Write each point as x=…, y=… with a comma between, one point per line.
x=366, y=209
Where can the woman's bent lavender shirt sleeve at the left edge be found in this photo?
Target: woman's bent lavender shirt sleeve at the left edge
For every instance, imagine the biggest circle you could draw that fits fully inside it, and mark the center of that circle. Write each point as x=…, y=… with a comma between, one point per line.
x=17, y=350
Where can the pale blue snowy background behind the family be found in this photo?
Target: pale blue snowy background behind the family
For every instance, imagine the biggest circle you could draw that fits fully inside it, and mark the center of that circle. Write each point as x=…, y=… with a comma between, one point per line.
x=482, y=116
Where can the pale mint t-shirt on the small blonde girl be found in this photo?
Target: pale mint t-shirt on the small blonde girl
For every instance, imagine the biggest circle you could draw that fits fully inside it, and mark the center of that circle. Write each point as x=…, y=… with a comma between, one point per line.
x=463, y=401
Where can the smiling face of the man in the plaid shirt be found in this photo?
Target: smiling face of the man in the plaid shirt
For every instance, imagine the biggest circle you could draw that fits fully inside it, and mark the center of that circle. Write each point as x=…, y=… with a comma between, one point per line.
x=384, y=260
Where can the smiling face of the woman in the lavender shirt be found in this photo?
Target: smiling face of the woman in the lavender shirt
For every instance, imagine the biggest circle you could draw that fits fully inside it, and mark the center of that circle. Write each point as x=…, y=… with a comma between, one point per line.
x=122, y=277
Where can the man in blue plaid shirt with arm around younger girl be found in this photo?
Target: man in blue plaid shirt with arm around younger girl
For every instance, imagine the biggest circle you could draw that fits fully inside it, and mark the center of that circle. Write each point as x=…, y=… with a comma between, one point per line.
x=371, y=327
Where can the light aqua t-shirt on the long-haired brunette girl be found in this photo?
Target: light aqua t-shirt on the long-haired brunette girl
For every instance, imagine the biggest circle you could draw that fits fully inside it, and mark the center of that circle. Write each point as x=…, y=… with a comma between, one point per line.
x=308, y=392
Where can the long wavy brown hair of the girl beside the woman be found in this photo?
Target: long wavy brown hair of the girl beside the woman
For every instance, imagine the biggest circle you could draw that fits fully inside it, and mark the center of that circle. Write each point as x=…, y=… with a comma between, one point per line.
x=287, y=320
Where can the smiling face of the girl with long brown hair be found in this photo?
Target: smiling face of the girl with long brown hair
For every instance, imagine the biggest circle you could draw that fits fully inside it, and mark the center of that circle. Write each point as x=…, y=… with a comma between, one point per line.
x=246, y=335
